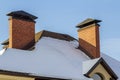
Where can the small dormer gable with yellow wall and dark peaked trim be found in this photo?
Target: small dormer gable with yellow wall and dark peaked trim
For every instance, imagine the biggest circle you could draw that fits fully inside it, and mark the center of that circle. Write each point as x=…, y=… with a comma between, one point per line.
x=100, y=67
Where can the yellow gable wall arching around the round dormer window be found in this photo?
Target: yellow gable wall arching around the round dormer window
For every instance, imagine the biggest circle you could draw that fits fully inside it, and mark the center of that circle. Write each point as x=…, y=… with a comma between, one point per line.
x=100, y=69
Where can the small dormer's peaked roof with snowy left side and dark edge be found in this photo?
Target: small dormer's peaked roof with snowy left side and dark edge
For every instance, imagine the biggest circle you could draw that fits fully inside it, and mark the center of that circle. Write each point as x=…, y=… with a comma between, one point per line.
x=90, y=65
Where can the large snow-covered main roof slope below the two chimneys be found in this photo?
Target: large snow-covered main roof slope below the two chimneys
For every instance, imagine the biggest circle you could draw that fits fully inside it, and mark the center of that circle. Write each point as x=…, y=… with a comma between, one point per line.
x=51, y=58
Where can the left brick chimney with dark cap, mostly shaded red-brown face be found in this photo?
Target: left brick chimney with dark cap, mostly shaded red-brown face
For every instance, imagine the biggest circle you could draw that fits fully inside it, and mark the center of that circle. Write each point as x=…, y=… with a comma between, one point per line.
x=21, y=30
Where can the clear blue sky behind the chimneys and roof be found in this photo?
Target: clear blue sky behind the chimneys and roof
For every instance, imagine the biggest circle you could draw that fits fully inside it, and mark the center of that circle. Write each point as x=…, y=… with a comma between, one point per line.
x=63, y=15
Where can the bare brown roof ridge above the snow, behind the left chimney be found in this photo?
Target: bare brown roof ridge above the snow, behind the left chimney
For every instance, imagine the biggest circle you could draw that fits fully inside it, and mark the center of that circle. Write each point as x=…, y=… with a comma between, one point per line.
x=45, y=33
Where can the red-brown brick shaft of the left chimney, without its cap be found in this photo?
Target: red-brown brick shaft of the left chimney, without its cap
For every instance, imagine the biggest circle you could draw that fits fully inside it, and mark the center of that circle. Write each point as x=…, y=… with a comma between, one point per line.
x=22, y=32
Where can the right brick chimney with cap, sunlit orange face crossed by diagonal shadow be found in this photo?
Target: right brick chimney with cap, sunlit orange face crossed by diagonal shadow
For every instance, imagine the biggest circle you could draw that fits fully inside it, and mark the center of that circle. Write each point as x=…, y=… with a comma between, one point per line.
x=88, y=34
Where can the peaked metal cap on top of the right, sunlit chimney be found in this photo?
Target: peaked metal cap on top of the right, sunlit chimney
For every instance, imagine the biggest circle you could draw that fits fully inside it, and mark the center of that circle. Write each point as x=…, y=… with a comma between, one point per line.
x=87, y=22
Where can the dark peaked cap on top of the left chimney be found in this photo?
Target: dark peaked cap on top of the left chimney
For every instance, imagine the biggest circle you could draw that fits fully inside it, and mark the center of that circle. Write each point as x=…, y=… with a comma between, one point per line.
x=21, y=14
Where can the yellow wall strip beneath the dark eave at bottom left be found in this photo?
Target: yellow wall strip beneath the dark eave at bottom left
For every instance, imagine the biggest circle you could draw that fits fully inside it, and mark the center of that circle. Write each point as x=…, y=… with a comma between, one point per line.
x=9, y=77
